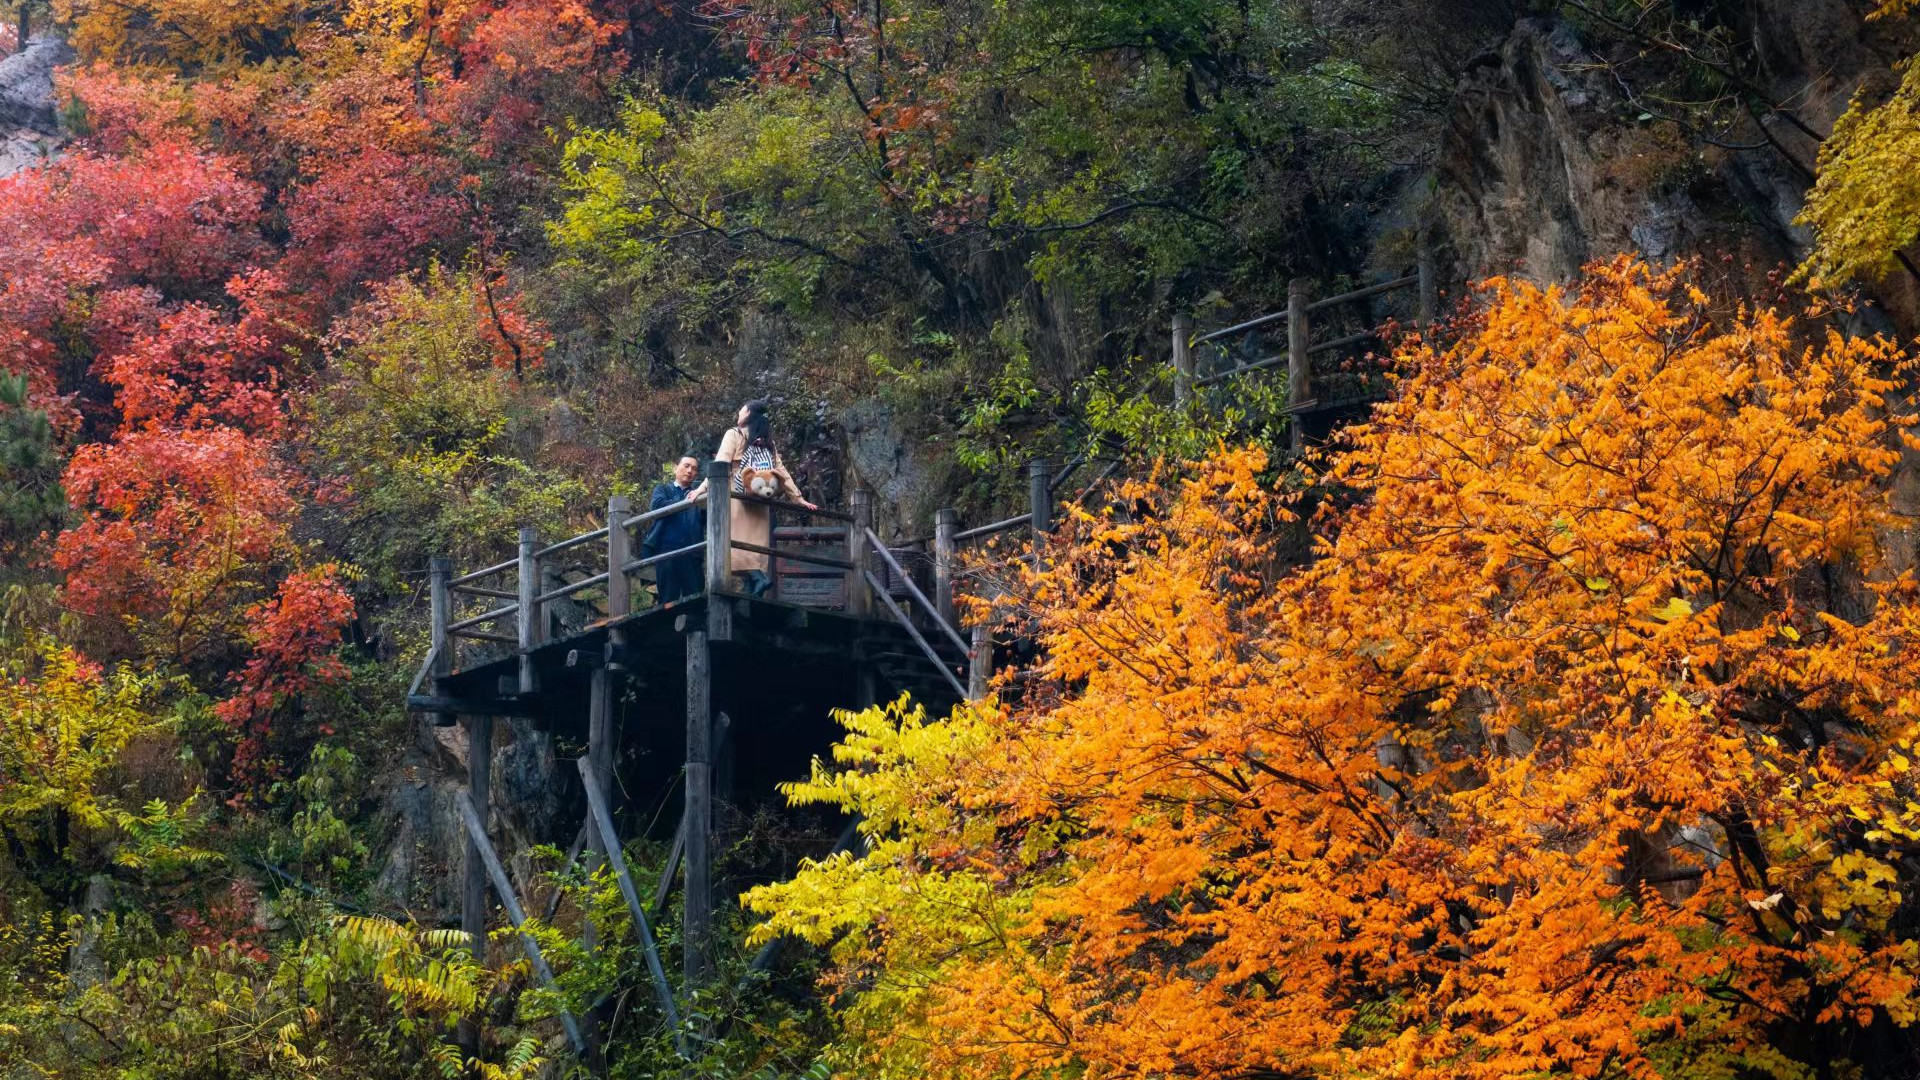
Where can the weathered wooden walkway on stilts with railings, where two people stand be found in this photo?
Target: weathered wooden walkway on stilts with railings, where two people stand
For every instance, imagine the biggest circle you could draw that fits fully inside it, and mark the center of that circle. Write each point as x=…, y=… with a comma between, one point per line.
x=744, y=685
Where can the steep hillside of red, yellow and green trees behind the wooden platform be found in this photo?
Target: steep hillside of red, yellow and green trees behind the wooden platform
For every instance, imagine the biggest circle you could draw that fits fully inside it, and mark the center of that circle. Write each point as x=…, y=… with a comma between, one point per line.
x=299, y=297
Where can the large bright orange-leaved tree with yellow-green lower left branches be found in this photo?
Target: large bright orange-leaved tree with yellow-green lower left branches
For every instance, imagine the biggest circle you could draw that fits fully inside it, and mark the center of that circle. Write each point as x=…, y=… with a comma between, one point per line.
x=1579, y=747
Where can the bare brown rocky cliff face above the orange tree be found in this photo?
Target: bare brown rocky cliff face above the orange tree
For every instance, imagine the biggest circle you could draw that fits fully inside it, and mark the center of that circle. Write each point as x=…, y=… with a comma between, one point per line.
x=1556, y=153
